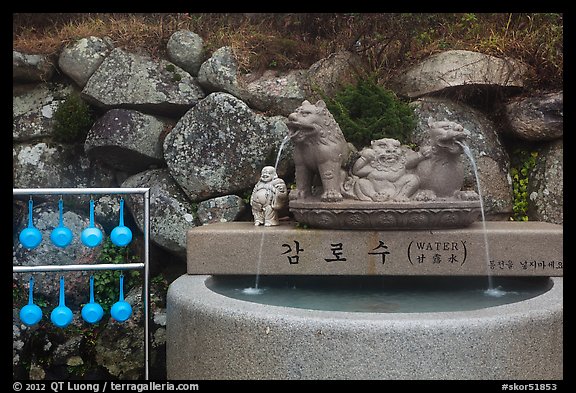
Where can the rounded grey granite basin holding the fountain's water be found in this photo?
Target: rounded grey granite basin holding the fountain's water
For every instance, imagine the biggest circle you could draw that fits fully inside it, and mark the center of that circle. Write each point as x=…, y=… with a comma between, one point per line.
x=212, y=336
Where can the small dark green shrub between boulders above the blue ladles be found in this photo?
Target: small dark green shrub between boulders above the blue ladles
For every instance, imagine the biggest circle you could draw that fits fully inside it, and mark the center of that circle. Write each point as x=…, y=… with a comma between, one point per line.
x=72, y=120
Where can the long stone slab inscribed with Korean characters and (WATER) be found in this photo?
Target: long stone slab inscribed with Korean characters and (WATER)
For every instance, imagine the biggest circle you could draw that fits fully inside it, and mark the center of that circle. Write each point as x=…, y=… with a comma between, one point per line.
x=514, y=249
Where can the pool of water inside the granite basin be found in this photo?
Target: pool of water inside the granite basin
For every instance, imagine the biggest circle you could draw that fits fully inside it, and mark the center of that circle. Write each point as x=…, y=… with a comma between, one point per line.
x=389, y=294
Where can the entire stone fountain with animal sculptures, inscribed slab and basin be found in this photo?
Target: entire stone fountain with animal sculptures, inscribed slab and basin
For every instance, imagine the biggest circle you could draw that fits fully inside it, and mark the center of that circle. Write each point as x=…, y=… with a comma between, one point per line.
x=384, y=219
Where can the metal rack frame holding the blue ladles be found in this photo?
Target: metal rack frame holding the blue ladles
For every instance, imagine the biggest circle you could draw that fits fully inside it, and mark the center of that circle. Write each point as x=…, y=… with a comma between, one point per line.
x=104, y=266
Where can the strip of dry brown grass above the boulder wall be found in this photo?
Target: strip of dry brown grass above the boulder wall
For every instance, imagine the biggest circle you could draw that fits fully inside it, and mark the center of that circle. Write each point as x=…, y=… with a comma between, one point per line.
x=388, y=42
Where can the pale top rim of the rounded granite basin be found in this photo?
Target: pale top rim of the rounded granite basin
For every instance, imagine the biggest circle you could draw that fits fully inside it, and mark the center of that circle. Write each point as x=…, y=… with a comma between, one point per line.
x=202, y=297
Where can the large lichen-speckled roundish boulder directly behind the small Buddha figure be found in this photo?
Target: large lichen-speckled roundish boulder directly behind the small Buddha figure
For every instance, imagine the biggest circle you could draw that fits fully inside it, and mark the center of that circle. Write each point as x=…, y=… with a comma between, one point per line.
x=220, y=146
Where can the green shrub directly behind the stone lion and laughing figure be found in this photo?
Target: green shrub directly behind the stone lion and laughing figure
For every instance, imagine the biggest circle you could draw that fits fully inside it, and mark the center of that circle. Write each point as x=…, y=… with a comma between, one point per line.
x=367, y=111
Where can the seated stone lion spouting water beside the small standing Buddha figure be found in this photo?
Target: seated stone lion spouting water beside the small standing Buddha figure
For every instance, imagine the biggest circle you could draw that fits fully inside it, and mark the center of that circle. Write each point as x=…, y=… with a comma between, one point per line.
x=320, y=151
